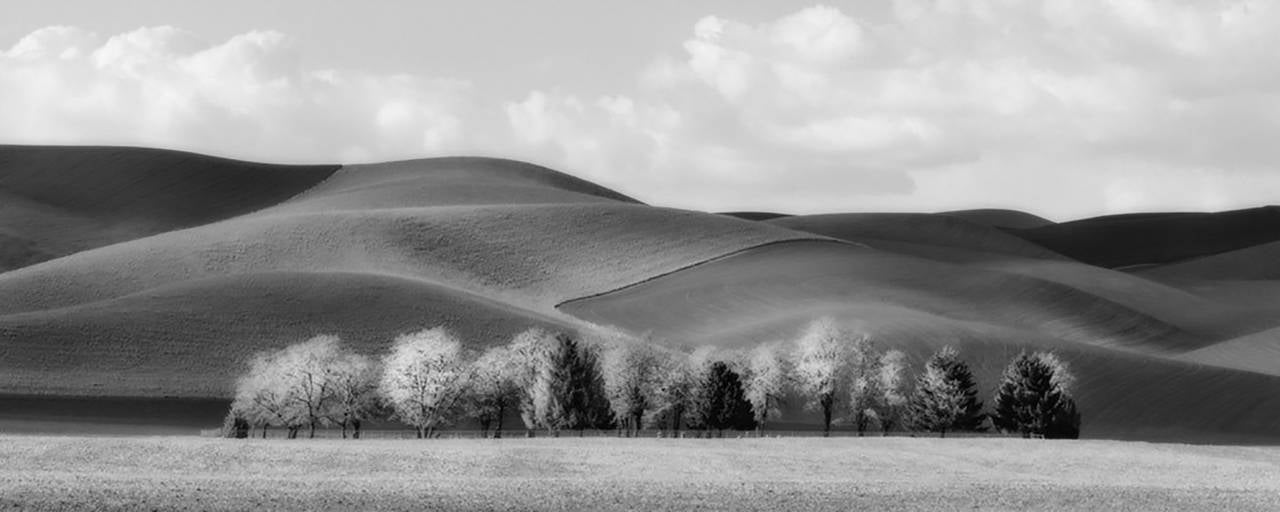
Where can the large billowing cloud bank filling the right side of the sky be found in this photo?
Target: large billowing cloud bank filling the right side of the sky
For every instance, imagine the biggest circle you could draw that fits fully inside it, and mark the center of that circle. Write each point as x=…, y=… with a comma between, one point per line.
x=1060, y=107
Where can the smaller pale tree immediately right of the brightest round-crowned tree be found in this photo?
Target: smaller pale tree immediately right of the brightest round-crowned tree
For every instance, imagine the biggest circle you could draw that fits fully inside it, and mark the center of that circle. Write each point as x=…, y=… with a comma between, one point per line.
x=495, y=388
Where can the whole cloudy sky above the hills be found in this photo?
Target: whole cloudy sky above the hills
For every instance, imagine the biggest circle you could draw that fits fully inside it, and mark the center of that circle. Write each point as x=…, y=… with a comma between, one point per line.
x=1062, y=108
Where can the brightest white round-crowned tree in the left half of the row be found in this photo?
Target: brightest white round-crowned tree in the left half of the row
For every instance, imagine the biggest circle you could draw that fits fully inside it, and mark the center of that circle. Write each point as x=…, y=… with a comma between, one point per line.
x=424, y=378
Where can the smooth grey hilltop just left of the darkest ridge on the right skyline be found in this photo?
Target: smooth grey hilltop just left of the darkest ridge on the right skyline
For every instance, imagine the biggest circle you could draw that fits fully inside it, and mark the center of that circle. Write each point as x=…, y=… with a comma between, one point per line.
x=917, y=234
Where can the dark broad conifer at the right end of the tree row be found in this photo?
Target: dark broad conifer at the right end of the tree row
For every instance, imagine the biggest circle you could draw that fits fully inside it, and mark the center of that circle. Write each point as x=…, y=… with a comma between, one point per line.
x=1034, y=399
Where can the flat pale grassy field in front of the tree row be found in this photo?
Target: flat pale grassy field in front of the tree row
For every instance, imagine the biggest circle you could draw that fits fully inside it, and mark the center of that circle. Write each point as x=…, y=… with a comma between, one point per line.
x=51, y=473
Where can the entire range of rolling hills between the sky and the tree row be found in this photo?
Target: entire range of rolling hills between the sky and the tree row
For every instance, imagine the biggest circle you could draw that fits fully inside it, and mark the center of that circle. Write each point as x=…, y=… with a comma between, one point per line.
x=168, y=269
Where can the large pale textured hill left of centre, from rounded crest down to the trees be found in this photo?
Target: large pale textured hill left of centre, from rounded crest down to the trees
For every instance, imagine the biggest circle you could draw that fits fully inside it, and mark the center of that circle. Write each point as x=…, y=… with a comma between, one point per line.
x=479, y=245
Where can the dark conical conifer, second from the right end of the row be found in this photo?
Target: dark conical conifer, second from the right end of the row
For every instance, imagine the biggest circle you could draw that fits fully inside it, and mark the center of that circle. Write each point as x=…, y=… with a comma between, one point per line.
x=945, y=397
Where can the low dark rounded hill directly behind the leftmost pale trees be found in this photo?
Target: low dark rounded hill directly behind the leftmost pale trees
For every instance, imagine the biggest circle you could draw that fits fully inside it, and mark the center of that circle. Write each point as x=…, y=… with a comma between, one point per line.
x=193, y=339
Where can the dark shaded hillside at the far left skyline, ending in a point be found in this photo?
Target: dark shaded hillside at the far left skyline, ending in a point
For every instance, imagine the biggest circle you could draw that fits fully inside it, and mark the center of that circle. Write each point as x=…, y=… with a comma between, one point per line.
x=57, y=200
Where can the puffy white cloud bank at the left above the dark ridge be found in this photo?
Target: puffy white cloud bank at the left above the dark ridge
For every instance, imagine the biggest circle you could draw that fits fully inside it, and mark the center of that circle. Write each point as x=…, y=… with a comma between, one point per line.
x=249, y=97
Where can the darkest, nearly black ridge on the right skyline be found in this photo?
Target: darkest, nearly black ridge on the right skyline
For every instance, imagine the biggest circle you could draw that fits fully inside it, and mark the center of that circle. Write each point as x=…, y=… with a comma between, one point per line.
x=1121, y=241
